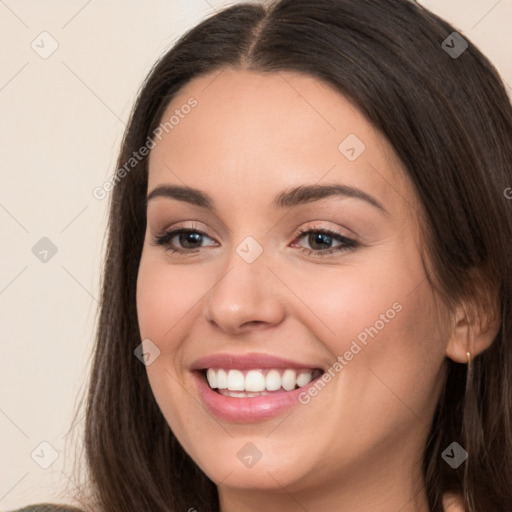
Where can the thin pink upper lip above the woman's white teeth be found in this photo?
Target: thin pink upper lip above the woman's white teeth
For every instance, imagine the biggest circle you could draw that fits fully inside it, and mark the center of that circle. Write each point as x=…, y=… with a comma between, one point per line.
x=247, y=362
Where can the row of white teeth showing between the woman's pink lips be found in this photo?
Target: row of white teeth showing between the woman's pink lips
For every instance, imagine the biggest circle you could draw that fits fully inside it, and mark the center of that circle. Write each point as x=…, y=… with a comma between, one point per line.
x=258, y=382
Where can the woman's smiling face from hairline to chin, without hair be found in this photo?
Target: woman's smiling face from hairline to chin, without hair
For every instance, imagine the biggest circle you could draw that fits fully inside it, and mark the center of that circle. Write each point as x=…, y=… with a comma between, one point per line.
x=248, y=283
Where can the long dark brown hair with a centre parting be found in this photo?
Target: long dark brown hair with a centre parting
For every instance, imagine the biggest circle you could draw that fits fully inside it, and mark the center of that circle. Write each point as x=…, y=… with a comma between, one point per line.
x=449, y=120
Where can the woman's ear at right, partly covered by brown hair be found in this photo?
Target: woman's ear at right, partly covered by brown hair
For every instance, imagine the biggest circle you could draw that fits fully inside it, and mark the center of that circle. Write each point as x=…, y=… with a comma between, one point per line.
x=475, y=322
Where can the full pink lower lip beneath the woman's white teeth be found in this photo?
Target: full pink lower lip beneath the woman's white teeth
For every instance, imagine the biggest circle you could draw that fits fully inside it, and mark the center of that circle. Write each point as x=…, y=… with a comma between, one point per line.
x=244, y=410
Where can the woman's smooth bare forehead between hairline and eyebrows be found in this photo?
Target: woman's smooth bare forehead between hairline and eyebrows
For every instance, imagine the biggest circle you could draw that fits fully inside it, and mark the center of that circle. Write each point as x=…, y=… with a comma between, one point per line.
x=252, y=134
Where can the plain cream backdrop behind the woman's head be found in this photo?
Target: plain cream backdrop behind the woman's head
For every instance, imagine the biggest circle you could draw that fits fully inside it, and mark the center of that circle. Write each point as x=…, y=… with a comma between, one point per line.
x=61, y=122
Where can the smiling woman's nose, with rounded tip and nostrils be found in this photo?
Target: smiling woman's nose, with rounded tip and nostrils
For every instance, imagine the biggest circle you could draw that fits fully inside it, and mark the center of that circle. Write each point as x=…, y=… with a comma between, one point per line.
x=246, y=296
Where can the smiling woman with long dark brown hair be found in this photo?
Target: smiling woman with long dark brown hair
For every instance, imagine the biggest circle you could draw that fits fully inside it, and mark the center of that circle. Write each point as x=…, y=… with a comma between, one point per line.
x=260, y=369
